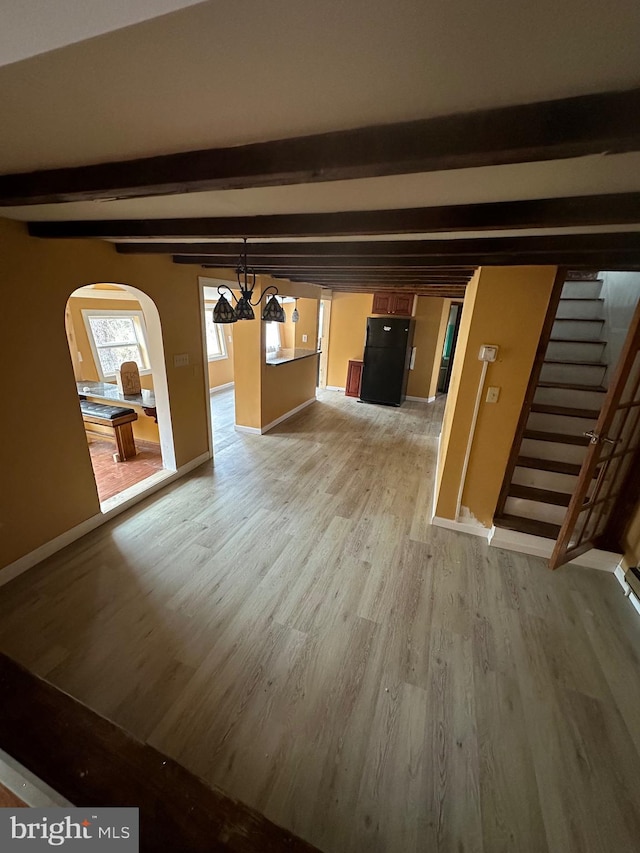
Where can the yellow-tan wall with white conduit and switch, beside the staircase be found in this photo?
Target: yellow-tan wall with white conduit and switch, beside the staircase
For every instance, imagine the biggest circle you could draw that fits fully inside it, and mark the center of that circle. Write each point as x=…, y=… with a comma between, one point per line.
x=505, y=306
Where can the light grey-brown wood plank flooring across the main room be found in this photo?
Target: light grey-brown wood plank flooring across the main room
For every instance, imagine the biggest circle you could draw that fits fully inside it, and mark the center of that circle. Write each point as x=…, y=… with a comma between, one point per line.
x=290, y=627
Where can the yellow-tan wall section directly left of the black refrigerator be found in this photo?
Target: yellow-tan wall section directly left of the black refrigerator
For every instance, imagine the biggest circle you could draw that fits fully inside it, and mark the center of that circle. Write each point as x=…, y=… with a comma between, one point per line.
x=349, y=312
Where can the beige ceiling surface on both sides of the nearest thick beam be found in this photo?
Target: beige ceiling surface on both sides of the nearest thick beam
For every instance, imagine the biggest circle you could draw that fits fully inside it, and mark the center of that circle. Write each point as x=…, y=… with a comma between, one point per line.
x=228, y=72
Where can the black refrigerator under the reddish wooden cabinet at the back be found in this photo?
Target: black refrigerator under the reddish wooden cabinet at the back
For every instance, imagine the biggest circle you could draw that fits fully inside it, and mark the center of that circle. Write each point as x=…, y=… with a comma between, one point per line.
x=387, y=354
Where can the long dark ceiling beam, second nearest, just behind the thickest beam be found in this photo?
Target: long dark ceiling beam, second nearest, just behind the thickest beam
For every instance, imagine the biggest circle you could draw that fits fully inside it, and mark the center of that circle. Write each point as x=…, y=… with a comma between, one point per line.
x=608, y=209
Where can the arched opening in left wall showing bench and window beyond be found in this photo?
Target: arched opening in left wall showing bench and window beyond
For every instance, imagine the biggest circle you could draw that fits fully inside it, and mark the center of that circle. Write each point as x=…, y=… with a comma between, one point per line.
x=128, y=426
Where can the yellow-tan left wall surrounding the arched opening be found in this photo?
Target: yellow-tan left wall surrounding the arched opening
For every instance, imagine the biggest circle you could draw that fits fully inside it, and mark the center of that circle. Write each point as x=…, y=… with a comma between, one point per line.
x=48, y=484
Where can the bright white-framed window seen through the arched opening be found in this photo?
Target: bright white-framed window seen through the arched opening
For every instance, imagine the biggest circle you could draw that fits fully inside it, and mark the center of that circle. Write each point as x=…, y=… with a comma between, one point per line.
x=116, y=336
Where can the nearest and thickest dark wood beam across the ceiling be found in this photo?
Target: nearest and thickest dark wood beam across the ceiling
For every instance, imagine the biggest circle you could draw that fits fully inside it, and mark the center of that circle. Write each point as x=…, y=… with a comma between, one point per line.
x=607, y=122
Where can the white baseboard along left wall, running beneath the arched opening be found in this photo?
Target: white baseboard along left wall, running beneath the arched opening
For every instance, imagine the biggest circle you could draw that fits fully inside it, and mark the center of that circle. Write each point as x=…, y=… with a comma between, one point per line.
x=41, y=553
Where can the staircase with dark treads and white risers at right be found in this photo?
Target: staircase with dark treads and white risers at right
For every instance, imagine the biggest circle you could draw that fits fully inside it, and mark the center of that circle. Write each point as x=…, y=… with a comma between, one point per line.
x=566, y=404
